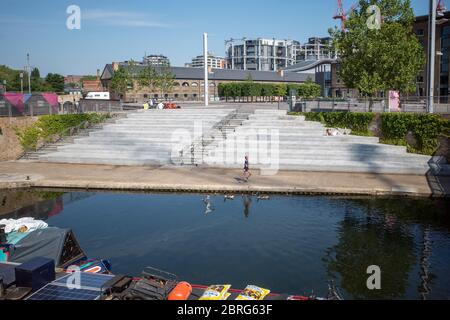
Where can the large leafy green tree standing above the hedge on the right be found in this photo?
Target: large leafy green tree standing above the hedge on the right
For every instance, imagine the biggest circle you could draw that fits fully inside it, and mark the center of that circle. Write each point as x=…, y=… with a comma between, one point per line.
x=388, y=58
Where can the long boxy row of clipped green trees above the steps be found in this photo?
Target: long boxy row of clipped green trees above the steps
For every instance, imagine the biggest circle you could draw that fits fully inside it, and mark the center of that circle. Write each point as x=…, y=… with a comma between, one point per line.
x=253, y=90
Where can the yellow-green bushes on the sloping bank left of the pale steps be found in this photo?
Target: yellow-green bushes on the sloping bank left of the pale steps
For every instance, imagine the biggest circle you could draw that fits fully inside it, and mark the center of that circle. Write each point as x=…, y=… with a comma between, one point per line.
x=51, y=125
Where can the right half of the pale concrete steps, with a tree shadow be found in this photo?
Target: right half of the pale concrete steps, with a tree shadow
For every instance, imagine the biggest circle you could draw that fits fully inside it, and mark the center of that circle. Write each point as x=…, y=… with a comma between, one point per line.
x=275, y=141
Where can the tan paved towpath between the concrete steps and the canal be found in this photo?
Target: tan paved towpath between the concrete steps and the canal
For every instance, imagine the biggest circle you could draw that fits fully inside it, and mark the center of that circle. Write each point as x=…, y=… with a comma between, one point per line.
x=209, y=180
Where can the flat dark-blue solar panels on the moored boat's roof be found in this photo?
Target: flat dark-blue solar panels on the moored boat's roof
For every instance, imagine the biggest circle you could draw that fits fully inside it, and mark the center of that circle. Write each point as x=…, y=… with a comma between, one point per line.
x=90, y=288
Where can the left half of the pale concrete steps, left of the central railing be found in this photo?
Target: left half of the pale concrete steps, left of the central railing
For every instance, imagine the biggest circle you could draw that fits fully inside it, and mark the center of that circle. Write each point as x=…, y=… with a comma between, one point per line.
x=155, y=137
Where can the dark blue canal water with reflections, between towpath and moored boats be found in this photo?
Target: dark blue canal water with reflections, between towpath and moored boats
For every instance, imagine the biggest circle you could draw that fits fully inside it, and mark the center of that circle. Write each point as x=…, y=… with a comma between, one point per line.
x=287, y=244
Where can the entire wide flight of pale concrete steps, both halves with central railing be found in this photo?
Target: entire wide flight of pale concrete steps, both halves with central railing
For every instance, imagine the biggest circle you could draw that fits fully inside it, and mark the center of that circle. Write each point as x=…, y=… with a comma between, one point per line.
x=221, y=138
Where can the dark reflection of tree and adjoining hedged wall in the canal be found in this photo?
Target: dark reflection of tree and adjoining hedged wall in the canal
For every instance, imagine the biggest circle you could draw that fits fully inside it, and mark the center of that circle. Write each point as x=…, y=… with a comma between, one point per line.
x=388, y=235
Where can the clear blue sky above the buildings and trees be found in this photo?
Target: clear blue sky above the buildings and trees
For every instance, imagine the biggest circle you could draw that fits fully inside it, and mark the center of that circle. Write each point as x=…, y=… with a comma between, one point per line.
x=117, y=30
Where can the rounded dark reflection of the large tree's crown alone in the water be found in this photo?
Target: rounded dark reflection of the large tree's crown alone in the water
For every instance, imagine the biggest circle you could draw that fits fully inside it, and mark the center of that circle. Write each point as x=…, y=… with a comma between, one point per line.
x=366, y=242
